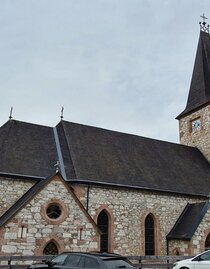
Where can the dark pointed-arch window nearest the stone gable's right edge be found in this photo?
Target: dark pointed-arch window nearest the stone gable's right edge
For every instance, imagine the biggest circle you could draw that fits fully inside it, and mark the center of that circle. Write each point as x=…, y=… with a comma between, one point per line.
x=103, y=224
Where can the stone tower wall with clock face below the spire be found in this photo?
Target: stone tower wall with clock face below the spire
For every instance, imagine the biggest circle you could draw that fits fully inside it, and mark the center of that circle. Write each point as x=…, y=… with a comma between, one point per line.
x=200, y=138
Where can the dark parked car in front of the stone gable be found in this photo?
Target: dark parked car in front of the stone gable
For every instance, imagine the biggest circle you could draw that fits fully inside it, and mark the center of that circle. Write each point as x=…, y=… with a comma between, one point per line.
x=85, y=260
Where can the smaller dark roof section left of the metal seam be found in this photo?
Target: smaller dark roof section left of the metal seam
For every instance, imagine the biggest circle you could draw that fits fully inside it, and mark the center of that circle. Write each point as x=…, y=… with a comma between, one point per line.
x=27, y=149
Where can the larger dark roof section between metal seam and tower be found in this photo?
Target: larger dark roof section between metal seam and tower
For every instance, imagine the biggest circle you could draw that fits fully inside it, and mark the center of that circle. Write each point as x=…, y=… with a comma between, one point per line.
x=108, y=157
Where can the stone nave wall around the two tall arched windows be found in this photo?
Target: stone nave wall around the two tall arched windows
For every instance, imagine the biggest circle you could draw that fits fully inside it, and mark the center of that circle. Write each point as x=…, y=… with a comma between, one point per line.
x=128, y=209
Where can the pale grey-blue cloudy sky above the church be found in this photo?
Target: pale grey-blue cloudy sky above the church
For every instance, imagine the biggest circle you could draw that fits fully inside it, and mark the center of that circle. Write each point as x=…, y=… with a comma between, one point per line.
x=124, y=65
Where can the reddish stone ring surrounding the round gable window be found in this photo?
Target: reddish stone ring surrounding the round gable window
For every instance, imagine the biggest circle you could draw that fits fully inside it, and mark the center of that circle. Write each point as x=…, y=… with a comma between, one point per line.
x=63, y=215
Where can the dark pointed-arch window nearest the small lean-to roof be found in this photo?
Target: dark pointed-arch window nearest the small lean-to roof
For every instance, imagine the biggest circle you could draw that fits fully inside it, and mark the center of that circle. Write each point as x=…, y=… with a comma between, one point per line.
x=149, y=235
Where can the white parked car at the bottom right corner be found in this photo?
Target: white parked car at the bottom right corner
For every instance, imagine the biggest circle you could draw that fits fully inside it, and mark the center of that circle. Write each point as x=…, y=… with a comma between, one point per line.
x=200, y=261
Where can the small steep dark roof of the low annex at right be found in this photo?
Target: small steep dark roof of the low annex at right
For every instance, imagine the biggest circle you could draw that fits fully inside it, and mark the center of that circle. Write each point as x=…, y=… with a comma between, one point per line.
x=188, y=221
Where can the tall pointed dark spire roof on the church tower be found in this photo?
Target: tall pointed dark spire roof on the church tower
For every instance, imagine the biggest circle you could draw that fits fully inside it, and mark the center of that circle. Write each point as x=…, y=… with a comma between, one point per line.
x=199, y=93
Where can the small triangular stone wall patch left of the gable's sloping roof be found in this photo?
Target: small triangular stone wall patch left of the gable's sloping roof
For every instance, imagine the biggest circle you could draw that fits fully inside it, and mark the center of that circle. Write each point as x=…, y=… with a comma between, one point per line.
x=11, y=190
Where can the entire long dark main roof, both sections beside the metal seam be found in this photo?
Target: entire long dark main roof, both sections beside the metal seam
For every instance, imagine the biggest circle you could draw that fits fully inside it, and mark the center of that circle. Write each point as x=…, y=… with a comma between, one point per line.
x=96, y=155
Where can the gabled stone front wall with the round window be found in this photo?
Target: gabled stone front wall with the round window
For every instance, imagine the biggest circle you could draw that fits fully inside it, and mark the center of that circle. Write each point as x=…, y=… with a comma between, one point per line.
x=28, y=232
